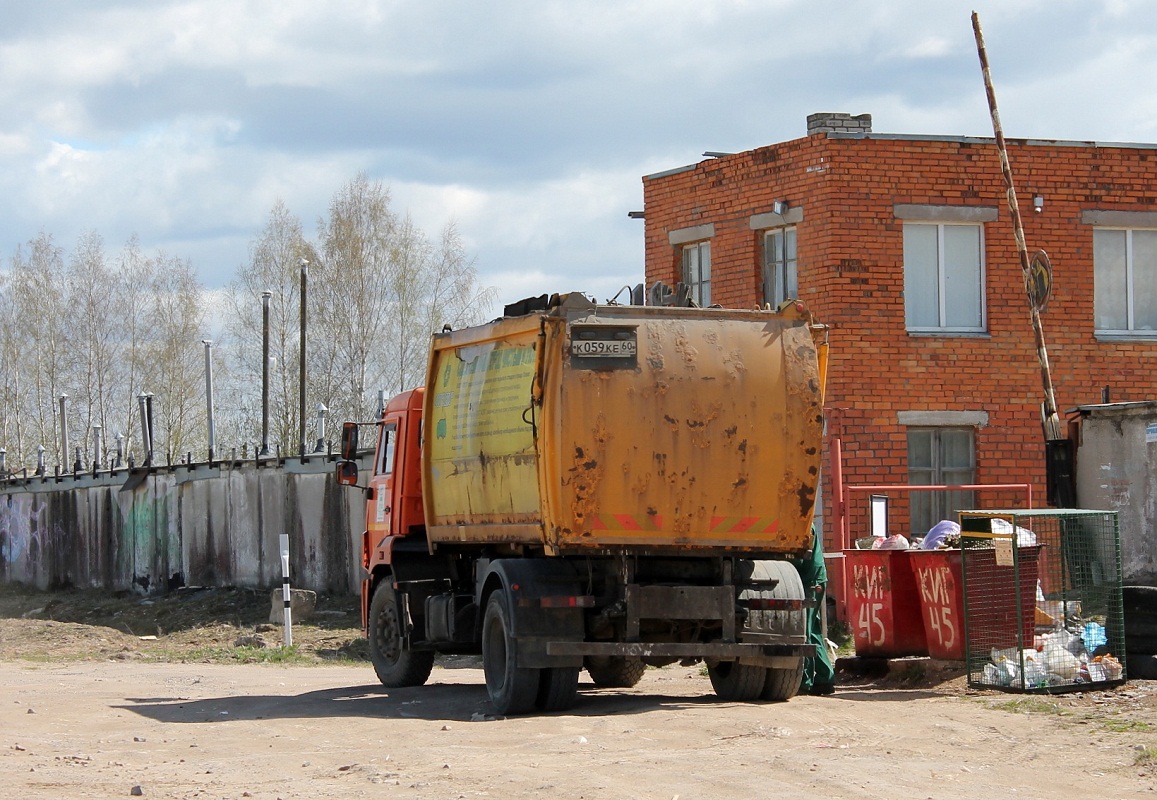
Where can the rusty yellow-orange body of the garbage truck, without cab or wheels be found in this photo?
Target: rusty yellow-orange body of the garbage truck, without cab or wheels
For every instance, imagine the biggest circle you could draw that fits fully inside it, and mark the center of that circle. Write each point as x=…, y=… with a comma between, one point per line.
x=594, y=429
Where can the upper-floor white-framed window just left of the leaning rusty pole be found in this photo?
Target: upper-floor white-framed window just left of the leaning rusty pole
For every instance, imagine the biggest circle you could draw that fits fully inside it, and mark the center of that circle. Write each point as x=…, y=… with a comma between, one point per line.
x=944, y=277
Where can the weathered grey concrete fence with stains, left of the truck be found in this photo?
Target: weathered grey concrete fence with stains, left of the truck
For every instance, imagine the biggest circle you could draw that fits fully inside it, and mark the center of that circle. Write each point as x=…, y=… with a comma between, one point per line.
x=159, y=529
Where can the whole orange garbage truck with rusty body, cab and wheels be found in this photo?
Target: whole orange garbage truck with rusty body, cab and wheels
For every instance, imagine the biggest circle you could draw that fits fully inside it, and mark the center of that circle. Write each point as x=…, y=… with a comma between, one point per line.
x=598, y=488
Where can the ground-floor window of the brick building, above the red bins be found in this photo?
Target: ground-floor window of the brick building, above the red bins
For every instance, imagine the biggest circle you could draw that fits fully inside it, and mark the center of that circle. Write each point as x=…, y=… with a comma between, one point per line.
x=940, y=457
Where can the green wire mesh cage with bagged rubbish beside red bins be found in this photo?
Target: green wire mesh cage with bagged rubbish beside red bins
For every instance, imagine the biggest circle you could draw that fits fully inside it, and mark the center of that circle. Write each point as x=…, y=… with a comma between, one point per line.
x=1043, y=607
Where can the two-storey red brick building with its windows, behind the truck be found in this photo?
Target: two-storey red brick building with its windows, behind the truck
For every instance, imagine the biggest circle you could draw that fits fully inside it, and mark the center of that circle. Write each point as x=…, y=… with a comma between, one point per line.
x=904, y=246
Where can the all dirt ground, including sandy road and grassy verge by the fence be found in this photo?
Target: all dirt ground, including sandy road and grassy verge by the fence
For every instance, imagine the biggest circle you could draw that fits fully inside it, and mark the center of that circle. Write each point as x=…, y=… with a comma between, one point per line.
x=126, y=696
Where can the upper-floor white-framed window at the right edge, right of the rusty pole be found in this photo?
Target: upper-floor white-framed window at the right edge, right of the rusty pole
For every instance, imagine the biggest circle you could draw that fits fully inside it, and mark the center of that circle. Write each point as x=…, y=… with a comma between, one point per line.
x=1125, y=281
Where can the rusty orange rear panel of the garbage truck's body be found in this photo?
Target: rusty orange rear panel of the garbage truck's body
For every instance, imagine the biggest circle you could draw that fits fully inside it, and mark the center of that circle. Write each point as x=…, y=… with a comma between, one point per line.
x=712, y=441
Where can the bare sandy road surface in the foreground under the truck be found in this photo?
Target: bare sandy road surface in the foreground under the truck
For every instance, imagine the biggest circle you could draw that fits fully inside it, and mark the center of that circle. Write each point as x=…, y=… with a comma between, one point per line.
x=99, y=730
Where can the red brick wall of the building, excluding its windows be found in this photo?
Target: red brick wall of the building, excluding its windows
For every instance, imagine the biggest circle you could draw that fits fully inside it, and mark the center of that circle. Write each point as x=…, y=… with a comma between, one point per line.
x=851, y=256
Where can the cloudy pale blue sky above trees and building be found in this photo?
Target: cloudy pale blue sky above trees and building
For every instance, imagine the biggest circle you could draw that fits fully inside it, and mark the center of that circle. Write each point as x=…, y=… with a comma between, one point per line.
x=529, y=124
